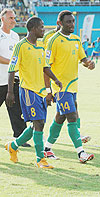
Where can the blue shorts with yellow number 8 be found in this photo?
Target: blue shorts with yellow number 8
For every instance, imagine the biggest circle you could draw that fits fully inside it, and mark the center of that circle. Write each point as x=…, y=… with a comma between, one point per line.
x=33, y=106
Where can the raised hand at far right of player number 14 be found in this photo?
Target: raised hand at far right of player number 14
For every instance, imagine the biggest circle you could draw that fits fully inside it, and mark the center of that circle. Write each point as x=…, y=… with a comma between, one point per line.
x=88, y=63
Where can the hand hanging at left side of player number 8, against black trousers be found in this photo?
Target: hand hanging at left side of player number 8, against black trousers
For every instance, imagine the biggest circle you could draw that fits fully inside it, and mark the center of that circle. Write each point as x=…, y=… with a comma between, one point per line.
x=10, y=99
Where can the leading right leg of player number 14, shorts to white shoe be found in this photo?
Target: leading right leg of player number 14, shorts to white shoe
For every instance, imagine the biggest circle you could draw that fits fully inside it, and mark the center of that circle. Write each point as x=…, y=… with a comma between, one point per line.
x=74, y=132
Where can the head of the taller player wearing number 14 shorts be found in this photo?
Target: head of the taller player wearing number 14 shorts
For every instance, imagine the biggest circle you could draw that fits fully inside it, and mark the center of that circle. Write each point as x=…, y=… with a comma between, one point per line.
x=67, y=21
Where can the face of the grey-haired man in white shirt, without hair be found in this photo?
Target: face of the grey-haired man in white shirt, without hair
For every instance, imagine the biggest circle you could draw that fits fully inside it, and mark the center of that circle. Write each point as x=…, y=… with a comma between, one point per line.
x=9, y=20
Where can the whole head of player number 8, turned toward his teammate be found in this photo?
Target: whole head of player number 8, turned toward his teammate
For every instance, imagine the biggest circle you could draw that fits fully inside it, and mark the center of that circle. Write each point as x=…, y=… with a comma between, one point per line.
x=35, y=26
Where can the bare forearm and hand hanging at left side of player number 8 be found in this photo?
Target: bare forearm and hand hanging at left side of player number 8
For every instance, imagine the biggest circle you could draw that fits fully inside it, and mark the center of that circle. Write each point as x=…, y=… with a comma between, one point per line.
x=10, y=100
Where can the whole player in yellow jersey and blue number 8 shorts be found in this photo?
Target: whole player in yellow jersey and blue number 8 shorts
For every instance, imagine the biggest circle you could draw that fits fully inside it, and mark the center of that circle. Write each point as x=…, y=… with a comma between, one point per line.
x=28, y=59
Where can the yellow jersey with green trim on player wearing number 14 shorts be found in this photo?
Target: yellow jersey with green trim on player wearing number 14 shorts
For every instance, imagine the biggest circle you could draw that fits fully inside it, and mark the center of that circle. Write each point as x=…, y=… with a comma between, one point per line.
x=63, y=54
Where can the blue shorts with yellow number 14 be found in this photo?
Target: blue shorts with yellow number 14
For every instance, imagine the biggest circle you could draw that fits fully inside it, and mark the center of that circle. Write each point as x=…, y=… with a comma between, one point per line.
x=65, y=102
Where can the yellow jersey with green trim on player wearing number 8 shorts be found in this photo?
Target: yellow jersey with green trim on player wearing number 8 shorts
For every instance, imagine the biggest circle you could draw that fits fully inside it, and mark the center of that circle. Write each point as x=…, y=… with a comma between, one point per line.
x=29, y=60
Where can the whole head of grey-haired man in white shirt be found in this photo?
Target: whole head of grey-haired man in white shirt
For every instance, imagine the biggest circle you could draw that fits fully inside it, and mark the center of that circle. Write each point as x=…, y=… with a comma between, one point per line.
x=8, y=18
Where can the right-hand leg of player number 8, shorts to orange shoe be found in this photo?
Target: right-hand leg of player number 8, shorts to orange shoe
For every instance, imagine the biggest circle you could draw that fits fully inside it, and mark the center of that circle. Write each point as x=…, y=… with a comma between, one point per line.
x=39, y=113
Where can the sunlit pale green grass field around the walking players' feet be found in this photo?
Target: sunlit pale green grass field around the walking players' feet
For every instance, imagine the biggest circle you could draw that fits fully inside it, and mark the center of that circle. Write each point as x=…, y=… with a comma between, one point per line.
x=69, y=177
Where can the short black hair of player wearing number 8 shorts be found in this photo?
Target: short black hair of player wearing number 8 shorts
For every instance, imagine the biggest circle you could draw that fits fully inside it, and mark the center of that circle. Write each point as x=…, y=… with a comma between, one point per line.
x=33, y=22
